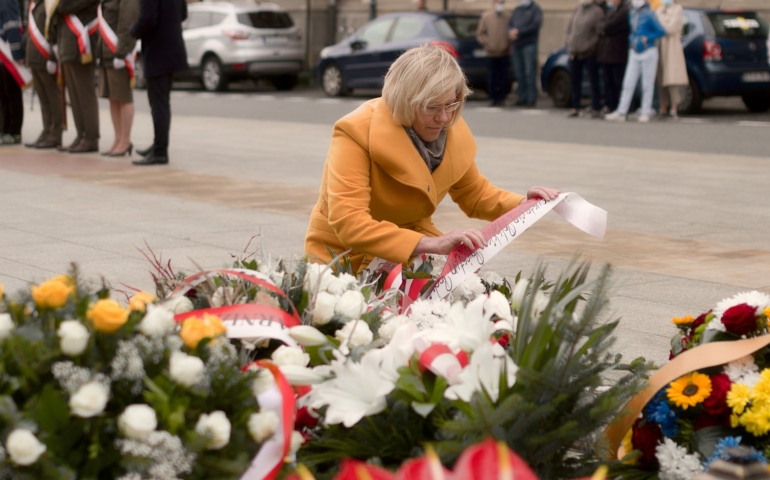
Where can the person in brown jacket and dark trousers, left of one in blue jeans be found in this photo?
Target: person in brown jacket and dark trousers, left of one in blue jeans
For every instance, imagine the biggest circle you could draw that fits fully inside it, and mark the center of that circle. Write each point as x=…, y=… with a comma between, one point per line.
x=492, y=34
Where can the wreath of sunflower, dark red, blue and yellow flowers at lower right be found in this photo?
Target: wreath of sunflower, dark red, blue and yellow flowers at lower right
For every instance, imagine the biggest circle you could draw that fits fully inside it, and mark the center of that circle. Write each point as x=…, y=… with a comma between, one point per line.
x=695, y=419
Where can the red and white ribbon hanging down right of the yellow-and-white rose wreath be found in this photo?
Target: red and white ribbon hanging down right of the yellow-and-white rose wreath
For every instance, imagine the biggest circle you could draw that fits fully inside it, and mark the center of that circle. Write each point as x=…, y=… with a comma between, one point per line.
x=279, y=399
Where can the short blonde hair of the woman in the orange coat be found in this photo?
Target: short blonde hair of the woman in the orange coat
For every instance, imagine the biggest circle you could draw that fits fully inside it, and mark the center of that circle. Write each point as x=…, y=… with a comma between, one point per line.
x=421, y=76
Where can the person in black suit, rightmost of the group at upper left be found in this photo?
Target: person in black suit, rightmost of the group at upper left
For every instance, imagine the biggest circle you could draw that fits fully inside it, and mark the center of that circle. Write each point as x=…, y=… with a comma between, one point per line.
x=159, y=27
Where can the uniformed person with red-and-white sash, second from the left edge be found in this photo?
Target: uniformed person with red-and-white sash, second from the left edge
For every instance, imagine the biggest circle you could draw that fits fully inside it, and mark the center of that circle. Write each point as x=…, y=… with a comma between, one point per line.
x=42, y=61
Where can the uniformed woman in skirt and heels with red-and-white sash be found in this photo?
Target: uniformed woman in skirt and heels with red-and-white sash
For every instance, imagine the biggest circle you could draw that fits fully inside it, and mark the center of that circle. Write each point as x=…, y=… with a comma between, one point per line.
x=115, y=49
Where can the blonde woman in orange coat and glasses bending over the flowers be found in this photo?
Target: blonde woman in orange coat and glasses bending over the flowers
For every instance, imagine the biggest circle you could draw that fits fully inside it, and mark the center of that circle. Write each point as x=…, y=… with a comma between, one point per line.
x=393, y=160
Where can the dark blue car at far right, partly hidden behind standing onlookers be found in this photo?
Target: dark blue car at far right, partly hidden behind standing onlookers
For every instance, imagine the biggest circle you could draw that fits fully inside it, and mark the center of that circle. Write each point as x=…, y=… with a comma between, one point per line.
x=726, y=54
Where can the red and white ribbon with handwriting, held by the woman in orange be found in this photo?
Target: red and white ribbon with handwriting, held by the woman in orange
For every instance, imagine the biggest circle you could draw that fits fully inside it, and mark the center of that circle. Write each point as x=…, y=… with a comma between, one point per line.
x=462, y=262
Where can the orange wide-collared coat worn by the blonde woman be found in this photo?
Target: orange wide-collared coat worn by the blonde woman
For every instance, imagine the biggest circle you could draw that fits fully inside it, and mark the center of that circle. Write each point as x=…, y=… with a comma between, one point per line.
x=377, y=194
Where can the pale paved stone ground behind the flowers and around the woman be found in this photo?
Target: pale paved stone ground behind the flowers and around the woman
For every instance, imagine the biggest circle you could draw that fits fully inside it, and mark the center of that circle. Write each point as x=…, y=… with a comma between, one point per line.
x=685, y=230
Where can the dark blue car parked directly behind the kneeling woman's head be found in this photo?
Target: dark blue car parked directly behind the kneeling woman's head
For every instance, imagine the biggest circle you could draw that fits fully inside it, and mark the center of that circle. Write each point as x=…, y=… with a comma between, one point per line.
x=361, y=60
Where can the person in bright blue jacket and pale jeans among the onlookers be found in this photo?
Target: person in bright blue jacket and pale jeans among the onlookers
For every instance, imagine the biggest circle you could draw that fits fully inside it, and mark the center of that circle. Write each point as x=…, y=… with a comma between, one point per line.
x=642, y=61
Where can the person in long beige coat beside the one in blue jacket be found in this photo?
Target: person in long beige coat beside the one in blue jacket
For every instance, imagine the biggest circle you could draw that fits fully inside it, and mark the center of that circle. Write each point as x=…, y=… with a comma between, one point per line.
x=672, y=69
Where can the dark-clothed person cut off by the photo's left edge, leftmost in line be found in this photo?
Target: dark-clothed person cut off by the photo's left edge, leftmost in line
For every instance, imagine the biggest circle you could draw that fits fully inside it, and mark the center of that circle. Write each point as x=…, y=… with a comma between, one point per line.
x=10, y=91
